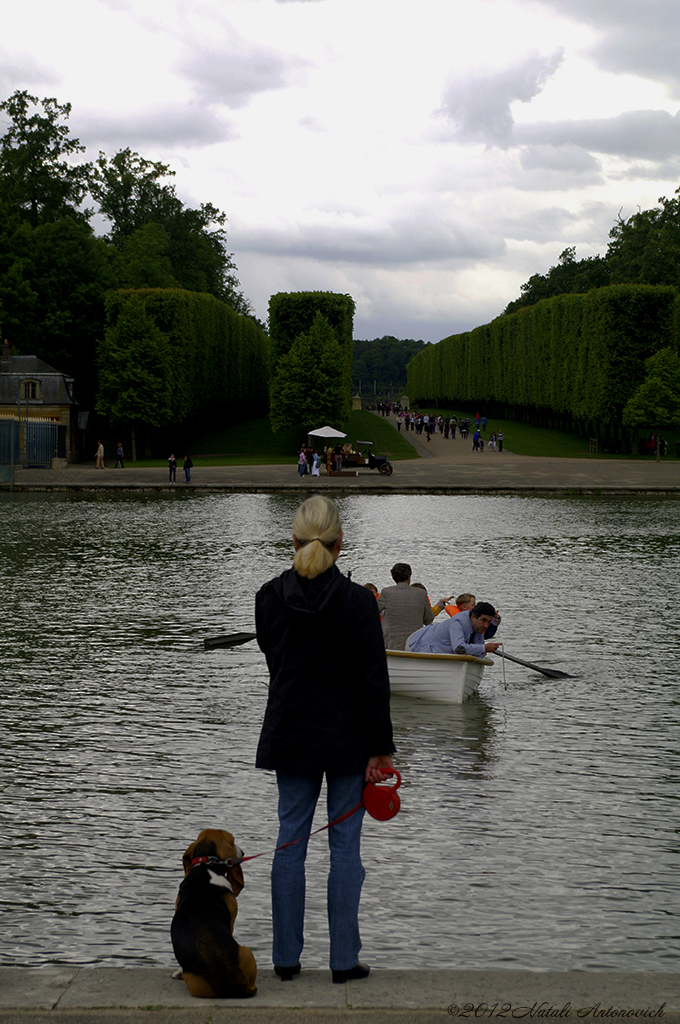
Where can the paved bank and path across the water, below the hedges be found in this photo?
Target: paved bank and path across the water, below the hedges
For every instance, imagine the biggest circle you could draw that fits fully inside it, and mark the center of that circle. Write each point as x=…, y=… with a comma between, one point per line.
x=445, y=467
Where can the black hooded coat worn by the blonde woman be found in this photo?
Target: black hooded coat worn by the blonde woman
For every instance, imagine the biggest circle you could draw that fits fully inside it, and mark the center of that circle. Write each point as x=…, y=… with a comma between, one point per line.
x=329, y=691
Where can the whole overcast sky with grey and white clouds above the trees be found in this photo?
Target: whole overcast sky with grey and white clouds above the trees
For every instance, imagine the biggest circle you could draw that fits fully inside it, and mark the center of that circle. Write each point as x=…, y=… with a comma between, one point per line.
x=427, y=157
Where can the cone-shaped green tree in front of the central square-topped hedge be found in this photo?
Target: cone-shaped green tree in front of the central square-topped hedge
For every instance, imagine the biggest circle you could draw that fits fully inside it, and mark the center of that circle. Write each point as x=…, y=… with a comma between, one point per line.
x=308, y=386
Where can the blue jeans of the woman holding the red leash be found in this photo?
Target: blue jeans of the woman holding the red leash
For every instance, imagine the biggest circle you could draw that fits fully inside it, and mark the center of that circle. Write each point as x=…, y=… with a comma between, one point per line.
x=297, y=800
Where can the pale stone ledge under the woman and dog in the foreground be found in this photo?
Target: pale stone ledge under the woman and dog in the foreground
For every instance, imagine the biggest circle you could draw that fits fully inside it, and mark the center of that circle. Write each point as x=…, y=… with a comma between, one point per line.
x=116, y=995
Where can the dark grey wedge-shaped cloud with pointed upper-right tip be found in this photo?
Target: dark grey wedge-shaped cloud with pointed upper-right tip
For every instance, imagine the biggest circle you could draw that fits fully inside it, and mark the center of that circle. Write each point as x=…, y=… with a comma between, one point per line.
x=481, y=107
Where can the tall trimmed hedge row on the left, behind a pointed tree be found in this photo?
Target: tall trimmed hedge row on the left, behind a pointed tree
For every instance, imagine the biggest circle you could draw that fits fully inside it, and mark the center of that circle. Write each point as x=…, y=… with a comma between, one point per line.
x=217, y=359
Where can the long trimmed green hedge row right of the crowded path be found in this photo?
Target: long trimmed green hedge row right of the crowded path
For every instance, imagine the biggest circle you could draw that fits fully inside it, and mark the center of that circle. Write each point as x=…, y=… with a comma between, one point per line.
x=577, y=356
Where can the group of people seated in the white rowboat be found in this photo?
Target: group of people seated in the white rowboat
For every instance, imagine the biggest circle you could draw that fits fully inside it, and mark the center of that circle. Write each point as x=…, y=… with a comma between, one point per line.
x=408, y=619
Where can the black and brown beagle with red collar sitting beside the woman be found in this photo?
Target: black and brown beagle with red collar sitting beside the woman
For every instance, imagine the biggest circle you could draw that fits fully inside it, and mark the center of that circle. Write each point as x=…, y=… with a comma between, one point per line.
x=214, y=964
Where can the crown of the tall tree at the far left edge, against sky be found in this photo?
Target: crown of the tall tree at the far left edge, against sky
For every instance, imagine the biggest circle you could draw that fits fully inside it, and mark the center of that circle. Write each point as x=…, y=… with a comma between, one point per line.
x=38, y=178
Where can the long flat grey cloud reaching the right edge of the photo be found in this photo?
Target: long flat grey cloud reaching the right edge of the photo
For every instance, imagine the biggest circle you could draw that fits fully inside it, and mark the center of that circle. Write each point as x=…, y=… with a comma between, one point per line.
x=636, y=135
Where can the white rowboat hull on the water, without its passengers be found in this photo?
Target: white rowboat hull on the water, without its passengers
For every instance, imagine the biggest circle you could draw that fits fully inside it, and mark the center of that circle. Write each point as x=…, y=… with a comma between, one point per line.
x=447, y=678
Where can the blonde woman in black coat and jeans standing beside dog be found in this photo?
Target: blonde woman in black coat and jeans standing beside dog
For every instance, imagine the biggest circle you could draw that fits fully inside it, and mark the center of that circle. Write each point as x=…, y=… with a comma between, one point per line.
x=327, y=715
